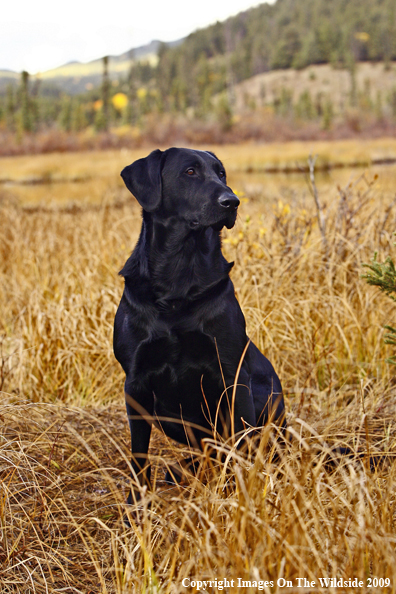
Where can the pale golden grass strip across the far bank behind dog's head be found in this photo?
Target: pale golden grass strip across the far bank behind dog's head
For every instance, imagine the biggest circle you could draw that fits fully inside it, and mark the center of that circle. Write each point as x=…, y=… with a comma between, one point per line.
x=278, y=156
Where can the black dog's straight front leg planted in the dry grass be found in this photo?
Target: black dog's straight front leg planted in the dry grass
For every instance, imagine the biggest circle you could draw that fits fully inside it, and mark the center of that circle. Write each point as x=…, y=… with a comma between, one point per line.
x=140, y=410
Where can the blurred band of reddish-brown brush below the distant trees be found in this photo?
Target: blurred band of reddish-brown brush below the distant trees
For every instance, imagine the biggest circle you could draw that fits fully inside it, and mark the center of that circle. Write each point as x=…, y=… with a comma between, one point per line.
x=260, y=125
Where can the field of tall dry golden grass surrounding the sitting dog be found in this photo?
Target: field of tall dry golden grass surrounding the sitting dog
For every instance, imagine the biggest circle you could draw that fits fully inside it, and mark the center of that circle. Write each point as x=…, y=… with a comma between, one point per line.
x=266, y=520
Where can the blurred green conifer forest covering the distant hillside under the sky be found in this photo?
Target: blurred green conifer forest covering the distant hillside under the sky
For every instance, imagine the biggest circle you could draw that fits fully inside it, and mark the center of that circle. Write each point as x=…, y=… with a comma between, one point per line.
x=197, y=77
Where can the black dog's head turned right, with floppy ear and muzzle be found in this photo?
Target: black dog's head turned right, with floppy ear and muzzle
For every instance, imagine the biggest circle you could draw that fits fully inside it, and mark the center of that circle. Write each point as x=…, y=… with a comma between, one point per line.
x=183, y=183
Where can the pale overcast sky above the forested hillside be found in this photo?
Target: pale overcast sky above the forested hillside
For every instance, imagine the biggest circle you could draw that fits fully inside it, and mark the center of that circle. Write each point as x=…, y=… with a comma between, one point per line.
x=36, y=35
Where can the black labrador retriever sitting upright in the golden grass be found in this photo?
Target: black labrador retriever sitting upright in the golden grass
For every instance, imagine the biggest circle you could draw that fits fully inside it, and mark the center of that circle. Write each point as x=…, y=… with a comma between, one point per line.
x=179, y=331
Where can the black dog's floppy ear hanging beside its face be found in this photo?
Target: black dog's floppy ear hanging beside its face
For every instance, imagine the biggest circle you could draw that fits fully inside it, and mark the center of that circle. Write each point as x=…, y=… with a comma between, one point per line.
x=143, y=180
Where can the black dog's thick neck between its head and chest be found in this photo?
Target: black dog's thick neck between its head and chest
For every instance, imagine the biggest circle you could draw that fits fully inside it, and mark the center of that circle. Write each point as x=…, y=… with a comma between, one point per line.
x=182, y=263
